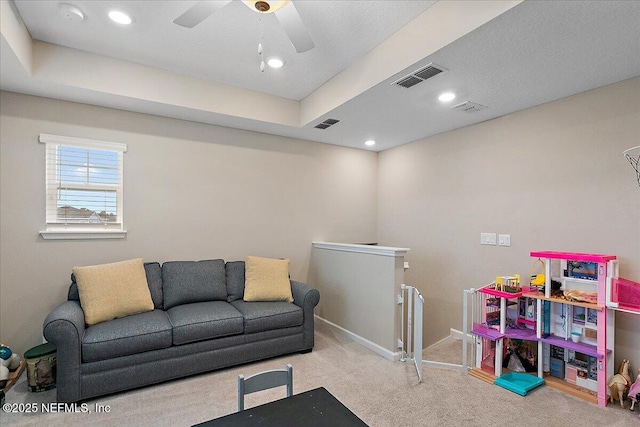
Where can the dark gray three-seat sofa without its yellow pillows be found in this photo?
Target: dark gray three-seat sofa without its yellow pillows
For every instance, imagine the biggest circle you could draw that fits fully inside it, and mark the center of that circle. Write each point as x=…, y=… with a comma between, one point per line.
x=200, y=323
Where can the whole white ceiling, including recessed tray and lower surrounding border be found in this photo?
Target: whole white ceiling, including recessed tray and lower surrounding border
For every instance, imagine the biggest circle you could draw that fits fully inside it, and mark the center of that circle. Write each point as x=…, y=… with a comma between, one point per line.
x=533, y=53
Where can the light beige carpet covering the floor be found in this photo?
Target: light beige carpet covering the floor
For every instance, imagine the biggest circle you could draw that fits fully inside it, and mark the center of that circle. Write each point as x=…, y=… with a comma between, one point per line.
x=380, y=392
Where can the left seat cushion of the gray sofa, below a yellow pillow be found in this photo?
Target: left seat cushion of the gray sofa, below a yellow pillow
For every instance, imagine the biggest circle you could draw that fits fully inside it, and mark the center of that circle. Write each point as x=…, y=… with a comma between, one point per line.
x=127, y=335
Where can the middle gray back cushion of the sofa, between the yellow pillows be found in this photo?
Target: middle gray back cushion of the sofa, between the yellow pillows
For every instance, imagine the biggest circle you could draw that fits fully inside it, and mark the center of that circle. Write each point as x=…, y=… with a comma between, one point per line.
x=185, y=282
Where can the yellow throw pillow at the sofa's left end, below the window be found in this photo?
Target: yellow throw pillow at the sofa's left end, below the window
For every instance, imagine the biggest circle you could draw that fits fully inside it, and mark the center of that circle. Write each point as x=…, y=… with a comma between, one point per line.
x=114, y=290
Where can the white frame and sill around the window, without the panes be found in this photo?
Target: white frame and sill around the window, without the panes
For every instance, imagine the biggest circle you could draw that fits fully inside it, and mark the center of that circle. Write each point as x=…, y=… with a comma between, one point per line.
x=55, y=230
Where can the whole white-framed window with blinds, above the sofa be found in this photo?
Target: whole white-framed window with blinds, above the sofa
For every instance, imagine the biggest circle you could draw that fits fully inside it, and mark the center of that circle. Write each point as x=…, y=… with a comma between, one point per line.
x=83, y=188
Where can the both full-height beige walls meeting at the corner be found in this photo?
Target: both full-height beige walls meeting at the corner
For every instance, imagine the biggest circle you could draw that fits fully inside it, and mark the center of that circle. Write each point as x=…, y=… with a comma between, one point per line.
x=552, y=176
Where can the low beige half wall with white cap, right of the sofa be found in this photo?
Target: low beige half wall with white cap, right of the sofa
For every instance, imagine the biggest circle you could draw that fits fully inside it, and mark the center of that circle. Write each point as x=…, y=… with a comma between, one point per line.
x=358, y=287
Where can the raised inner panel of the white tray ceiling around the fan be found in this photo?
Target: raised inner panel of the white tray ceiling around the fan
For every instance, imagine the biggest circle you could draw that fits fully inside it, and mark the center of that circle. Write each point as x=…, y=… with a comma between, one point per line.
x=223, y=48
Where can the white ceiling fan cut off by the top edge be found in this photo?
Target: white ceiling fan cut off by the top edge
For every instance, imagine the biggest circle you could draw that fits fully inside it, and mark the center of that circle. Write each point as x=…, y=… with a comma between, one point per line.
x=284, y=10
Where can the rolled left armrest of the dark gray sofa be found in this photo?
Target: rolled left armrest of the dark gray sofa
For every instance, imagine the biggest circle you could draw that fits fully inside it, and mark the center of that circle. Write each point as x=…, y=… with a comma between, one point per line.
x=64, y=327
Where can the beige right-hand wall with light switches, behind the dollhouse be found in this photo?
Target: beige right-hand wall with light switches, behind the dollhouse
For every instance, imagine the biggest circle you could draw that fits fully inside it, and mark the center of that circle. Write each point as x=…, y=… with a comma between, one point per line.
x=552, y=176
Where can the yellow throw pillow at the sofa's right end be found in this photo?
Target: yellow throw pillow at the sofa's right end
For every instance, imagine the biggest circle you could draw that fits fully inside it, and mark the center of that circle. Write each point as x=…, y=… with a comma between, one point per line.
x=267, y=279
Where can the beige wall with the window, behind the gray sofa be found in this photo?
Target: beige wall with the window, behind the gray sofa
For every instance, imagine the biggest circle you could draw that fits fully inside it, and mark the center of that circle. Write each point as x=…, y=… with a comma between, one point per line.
x=192, y=191
